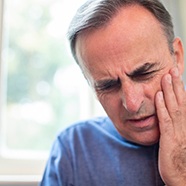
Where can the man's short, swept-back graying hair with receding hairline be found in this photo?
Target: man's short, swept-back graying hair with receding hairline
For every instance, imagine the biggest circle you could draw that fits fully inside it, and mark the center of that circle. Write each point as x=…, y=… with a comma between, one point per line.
x=97, y=13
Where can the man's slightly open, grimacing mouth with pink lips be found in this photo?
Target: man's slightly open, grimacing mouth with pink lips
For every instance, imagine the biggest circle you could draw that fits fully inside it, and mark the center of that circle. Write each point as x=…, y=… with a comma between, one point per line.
x=142, y=123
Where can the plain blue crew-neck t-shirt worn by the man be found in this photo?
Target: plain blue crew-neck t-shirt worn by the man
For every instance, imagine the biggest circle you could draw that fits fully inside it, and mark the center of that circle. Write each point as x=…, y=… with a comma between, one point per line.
x=92, y=153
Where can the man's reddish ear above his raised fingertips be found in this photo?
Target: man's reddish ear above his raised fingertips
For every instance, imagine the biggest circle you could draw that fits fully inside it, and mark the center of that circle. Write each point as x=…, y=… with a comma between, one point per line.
x=179, y=54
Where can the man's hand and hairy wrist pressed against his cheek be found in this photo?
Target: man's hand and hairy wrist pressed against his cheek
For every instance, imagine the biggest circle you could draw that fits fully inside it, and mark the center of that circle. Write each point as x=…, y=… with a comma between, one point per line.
x=171, y=112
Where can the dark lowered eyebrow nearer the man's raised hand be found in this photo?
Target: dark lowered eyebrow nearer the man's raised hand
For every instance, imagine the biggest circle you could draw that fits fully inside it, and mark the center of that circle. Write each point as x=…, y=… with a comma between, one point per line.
x=142, y=69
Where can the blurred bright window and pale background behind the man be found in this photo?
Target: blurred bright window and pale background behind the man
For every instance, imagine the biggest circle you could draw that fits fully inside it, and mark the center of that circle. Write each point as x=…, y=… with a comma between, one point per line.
x=42, y=90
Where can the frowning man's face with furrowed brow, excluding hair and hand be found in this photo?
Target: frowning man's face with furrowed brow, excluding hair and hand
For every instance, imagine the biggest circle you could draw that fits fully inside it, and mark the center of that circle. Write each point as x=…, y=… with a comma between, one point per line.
x=125, y=62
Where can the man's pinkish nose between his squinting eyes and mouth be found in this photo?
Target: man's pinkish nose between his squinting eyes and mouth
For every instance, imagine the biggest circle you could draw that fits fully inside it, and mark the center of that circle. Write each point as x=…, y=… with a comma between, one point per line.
x=132, y=96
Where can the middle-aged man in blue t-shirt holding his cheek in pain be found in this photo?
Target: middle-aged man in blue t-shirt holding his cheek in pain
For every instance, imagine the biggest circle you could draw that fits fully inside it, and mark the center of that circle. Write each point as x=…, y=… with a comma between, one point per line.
x=129, y=55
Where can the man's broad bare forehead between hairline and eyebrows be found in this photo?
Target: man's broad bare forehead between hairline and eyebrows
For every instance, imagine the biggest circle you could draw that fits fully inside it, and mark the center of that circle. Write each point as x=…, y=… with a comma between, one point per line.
x=132, y=32
